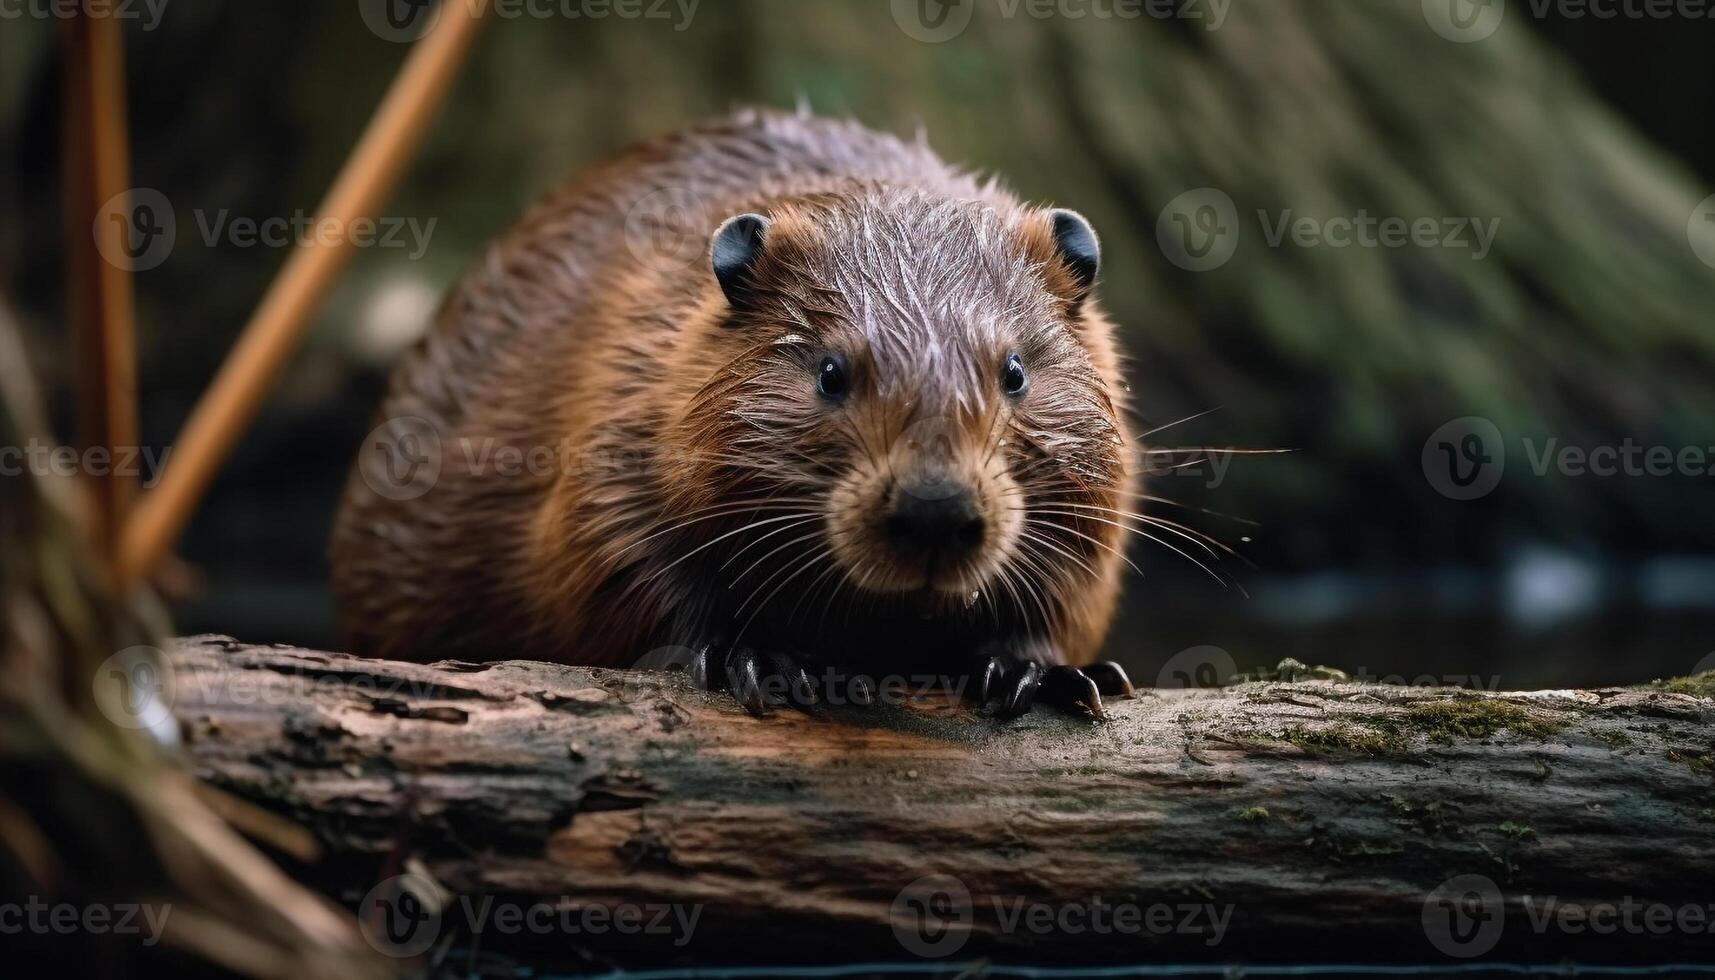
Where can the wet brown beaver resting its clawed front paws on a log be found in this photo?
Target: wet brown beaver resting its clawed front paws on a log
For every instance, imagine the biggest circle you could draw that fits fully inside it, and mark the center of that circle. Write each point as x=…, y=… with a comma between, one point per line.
x=870, y=420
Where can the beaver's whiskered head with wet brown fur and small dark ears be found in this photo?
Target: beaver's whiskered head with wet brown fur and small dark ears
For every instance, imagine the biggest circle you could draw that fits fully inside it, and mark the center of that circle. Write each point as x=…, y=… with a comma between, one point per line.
x=903, y=387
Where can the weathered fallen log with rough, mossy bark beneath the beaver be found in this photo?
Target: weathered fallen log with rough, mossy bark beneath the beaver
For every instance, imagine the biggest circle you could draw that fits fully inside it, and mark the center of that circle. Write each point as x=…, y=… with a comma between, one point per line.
x=1323, y=813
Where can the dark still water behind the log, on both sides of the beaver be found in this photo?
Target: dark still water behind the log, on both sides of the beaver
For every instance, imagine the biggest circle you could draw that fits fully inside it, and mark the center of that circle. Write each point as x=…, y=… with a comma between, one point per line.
x=1544, y=622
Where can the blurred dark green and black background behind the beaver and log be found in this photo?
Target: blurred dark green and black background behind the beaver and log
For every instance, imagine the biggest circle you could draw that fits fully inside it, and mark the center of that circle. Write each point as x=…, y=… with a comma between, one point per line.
x=1589, y=322
